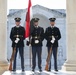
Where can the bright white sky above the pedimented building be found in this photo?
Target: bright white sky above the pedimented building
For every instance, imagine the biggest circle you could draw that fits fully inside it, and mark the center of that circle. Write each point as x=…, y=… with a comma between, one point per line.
x=22, y=4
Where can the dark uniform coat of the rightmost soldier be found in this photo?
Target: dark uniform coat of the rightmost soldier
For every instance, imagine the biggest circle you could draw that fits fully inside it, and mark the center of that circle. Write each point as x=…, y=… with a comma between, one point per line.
x=52, y=32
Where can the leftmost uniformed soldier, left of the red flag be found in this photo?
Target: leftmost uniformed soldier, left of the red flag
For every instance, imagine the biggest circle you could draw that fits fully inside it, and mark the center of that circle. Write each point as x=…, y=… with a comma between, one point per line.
x=17, y=37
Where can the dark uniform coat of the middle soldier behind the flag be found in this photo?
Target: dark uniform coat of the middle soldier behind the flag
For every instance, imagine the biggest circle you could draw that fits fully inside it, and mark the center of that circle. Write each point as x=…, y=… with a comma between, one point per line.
x=37, y=34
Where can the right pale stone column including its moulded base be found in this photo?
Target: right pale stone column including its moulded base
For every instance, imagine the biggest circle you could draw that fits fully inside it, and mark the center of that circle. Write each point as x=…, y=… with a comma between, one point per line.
x=70, y=64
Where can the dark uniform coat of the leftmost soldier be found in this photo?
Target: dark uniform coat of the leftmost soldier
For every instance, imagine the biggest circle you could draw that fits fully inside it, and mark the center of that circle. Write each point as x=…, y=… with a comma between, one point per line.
x=20, y=31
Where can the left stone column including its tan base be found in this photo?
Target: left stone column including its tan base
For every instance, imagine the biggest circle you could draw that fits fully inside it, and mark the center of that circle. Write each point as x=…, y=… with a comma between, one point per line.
x=3, y=32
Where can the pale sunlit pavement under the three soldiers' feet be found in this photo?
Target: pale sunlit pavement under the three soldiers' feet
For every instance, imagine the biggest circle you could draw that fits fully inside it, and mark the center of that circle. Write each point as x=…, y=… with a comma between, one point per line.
x=18, y=72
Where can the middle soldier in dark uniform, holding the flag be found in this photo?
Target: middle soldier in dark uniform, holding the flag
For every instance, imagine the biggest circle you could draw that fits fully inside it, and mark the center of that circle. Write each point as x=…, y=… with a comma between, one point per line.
x=37, y=36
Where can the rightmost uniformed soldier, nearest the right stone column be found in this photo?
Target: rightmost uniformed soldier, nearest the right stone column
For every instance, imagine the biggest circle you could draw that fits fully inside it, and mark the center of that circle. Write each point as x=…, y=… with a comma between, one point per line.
x=53, y=35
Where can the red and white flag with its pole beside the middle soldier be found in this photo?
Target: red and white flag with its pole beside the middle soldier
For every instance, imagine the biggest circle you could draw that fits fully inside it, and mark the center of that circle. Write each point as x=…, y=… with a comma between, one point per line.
x=27, y=26
